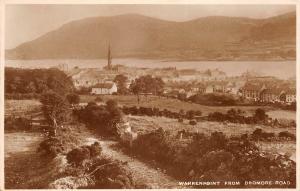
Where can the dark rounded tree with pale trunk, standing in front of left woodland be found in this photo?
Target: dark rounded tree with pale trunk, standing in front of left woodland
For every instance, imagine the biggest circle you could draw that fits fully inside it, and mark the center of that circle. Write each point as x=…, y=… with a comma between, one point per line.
x=55, y=108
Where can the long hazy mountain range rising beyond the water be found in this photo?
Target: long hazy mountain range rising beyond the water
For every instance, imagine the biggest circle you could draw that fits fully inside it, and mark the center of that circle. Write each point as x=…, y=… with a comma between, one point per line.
x=132, y=35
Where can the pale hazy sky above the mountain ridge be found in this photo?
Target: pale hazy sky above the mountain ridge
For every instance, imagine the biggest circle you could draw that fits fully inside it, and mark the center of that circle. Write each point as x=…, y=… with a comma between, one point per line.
x=27, y=22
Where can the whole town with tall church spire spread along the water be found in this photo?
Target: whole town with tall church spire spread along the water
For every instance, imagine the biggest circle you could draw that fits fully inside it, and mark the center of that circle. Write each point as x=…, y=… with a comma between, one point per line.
x=186, y=82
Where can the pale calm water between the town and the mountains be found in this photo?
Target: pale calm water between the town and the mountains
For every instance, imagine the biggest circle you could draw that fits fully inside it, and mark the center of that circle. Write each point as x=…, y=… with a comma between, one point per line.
x=281, y=69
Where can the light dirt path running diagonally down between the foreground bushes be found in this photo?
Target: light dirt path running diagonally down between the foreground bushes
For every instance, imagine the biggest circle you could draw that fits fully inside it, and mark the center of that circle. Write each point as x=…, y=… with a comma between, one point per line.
x=141, y=172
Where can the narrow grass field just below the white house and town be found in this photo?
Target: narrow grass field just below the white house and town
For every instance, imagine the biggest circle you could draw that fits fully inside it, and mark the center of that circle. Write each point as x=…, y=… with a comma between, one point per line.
x=170, y=104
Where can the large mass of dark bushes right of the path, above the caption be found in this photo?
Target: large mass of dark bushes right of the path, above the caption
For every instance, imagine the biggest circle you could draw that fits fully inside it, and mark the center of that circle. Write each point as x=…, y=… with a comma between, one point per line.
x=199, y=157
